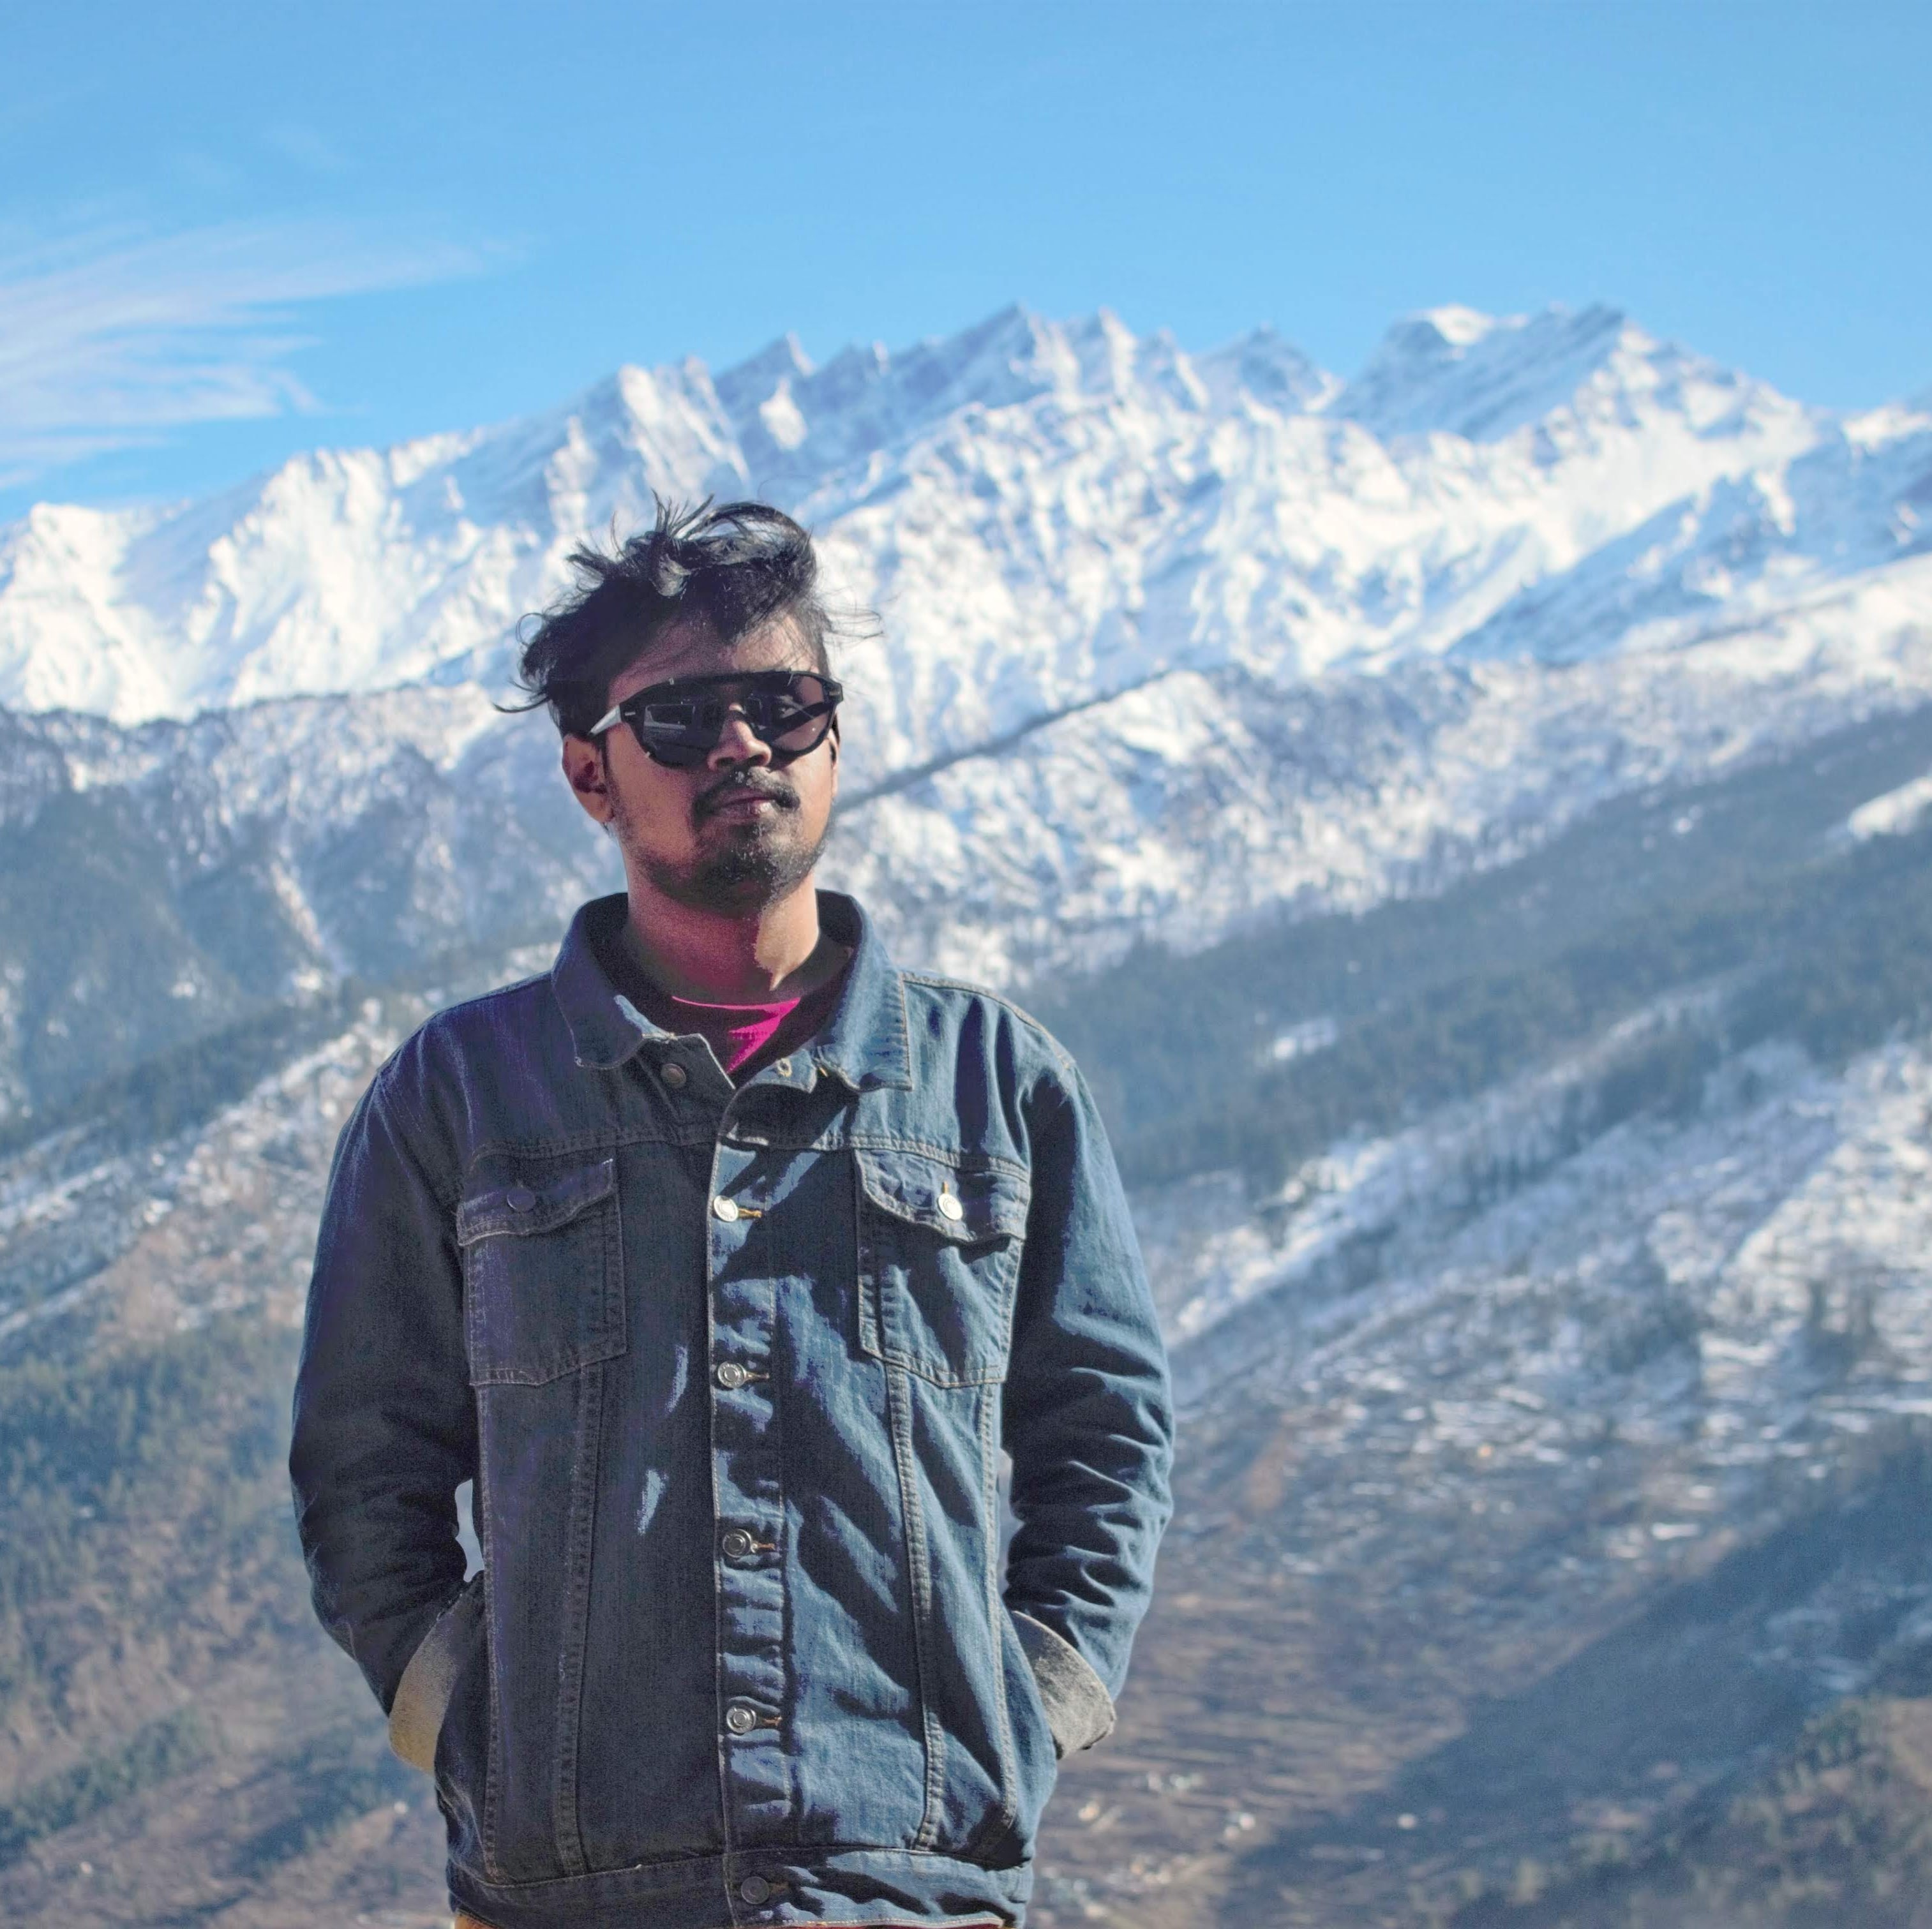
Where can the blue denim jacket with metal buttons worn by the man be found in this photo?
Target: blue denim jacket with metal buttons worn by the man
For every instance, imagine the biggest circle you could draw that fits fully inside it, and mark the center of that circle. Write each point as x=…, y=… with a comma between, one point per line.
x=733, y=1372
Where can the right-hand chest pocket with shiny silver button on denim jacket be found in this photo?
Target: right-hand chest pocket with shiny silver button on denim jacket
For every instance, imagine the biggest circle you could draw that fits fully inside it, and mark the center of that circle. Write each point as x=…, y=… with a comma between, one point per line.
x=938, y=1260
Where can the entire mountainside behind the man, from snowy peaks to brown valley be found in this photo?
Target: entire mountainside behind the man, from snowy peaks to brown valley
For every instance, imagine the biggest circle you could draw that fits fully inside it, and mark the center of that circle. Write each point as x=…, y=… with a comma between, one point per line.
x=1520, y=760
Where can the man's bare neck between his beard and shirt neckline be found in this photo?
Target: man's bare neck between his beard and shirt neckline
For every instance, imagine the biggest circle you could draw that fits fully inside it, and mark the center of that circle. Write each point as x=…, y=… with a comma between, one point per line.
x=720, y=959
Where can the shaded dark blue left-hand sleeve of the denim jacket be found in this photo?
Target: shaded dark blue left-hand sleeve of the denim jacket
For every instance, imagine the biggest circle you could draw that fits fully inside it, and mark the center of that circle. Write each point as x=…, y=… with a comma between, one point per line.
x=385, y=1424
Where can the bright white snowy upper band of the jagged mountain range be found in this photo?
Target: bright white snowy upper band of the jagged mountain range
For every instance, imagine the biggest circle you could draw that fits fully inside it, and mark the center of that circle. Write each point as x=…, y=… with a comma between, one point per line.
x=1044, y=513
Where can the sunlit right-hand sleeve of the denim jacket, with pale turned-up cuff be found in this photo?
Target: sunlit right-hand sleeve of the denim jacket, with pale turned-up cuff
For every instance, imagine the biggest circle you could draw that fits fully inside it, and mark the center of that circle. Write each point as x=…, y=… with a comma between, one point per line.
x=1089, y=1422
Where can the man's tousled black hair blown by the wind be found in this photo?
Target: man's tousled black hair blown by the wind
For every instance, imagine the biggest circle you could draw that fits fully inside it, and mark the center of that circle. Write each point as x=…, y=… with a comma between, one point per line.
x=733, y=569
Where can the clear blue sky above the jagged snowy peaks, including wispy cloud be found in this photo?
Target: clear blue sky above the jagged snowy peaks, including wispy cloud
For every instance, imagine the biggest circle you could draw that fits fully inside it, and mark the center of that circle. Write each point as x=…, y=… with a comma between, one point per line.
x=231, y=233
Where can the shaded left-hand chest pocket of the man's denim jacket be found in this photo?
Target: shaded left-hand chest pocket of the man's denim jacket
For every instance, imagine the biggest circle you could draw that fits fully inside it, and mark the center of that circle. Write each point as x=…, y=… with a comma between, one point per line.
x=544, y=1277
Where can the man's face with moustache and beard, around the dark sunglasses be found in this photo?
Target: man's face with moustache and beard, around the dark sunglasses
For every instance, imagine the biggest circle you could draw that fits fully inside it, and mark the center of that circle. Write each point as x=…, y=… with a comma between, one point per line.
x=737, y=831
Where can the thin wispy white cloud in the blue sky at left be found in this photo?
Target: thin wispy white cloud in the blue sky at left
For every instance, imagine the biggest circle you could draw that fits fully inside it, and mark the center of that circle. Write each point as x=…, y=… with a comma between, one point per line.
x=115, y=337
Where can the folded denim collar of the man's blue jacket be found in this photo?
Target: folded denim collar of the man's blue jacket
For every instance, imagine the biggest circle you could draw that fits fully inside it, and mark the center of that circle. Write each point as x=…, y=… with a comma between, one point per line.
x=865, y=1042
